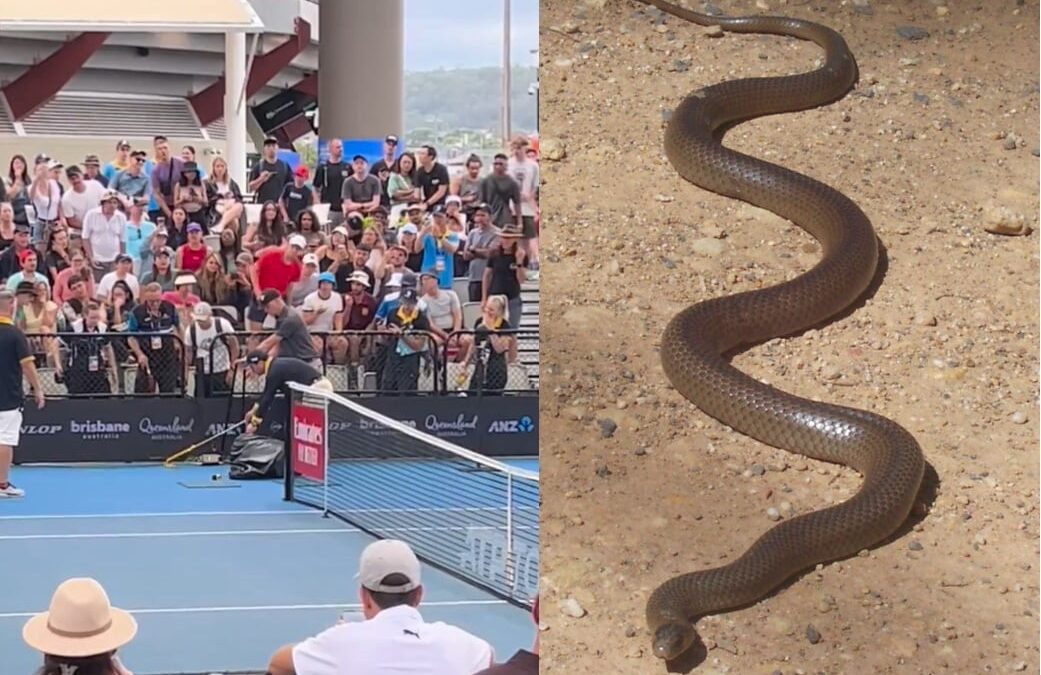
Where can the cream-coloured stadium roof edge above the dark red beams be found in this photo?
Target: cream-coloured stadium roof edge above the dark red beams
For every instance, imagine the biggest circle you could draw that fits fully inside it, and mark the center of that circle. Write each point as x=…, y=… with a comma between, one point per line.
x=120, y=16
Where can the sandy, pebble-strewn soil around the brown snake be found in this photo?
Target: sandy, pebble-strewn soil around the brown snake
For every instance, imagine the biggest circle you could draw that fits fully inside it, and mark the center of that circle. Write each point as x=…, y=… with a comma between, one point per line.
x=641, y=486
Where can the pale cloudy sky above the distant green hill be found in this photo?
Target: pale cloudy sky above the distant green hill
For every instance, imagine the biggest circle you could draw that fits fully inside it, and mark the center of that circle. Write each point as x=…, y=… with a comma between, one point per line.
x=468, y=34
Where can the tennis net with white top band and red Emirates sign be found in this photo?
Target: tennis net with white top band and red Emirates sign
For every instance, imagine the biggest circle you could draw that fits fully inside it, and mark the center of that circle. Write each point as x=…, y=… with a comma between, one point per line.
x=462, y=512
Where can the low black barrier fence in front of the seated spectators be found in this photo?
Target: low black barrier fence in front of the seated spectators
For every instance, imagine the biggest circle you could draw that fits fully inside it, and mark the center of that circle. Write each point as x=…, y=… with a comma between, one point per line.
x=370, y=363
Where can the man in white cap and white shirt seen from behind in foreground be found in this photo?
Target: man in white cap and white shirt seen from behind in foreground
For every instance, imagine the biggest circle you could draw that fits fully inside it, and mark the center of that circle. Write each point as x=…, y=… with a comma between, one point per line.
x=394, y=637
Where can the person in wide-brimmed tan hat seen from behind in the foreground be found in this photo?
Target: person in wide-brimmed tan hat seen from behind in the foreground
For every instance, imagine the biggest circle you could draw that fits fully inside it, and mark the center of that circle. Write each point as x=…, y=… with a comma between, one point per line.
x=81, y=633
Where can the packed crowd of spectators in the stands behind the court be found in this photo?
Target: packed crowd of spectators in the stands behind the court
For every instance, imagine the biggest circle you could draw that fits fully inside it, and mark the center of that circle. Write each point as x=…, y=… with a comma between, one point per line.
x=153, y=243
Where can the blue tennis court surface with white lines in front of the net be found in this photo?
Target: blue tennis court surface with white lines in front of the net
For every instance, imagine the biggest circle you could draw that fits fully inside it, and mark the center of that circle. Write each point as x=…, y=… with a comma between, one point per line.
x=219, y=574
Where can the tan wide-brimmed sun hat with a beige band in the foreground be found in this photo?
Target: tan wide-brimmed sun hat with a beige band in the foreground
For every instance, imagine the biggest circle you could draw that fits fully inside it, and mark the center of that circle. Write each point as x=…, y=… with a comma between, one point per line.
x=80, y=622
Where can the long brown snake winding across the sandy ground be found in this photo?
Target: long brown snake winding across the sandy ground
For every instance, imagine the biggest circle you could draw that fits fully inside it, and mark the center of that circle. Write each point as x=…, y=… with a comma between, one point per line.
x=697, y=340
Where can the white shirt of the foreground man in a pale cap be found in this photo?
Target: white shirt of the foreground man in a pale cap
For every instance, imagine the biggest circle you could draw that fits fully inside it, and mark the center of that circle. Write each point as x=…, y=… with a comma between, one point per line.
x=395, y=641
